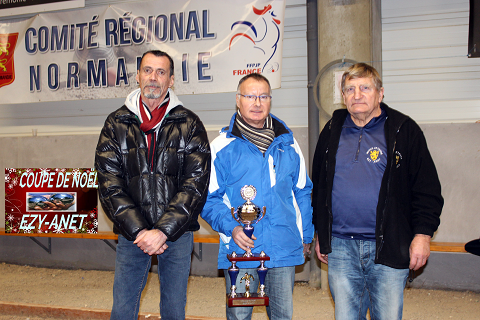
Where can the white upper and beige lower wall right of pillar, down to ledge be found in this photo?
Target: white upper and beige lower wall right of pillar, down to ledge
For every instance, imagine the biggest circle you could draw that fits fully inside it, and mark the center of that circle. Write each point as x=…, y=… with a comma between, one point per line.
x=427, y=75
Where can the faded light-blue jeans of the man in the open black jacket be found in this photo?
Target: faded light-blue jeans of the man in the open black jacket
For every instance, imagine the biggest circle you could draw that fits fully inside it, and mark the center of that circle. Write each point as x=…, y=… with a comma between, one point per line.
x=352, y=274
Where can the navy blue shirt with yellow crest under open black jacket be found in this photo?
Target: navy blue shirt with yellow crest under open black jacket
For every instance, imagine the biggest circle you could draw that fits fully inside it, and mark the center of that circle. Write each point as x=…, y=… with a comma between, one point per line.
x=360, y=163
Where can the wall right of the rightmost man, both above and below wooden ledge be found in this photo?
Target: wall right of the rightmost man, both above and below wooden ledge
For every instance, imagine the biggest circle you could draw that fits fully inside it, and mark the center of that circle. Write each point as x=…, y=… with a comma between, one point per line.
x=456, y=152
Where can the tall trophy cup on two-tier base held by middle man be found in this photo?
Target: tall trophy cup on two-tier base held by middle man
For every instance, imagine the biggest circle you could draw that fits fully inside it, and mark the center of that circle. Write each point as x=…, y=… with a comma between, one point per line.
x=247, y=215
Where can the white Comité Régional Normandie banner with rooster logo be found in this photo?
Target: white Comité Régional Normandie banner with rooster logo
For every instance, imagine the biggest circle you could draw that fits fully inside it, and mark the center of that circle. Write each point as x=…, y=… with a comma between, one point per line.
x=94, y=53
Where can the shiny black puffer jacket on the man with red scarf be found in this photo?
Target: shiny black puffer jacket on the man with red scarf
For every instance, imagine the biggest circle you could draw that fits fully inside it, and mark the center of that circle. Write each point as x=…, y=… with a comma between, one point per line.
x=167, y=195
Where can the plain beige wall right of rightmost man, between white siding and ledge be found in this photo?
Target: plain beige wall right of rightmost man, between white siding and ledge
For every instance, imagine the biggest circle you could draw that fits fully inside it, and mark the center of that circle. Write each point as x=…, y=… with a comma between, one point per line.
x=455, y=148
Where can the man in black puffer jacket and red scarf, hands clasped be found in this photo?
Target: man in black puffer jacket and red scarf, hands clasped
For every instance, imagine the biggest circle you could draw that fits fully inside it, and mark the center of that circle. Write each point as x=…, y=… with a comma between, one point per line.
x=153, y=163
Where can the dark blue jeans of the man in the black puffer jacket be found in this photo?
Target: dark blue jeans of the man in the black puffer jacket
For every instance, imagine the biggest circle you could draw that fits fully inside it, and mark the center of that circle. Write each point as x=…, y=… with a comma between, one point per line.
x=132, y=266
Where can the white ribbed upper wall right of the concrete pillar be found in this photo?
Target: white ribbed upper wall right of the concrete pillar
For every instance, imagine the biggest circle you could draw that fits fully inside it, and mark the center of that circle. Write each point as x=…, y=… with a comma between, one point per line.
x=426, y=71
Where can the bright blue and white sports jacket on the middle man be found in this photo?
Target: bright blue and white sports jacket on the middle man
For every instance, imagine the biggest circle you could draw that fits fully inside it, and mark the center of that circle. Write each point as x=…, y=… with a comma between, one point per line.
x=283, y=187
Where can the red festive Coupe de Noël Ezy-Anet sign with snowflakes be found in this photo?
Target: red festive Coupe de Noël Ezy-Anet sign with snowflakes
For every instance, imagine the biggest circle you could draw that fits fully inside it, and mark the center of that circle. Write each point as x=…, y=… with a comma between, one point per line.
x=50, y=200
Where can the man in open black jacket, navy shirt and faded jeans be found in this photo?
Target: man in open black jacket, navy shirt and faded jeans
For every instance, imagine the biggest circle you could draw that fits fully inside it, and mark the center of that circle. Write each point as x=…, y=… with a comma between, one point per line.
x=376, y=200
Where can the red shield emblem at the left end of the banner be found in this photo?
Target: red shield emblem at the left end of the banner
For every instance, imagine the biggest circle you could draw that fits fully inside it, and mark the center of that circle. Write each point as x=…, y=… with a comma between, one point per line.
x=7, y=48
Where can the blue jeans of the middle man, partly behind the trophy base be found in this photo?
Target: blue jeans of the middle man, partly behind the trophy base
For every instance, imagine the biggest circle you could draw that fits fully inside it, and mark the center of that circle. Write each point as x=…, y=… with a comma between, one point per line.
x=279, y=284
